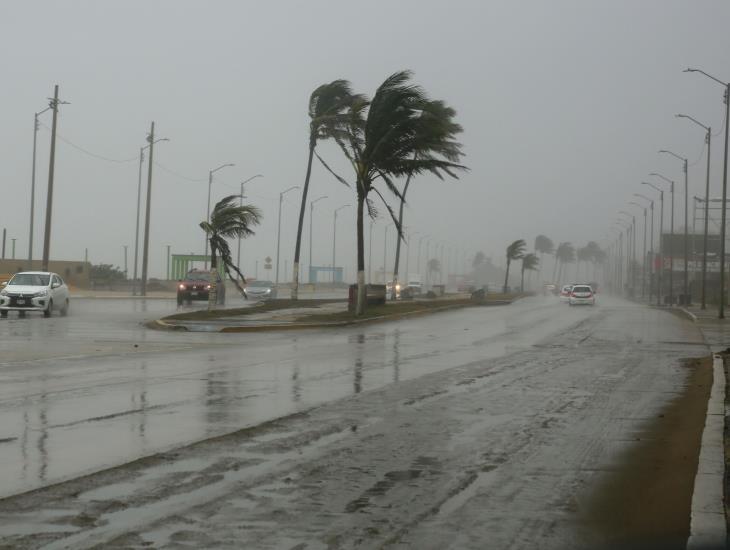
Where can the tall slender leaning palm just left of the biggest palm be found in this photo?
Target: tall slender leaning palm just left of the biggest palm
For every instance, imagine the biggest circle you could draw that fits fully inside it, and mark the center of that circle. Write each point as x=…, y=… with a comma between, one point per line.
x=328, y=107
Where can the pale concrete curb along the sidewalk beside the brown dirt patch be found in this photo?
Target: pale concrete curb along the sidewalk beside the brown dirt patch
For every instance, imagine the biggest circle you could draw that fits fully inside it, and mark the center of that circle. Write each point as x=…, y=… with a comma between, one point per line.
x=708, y=527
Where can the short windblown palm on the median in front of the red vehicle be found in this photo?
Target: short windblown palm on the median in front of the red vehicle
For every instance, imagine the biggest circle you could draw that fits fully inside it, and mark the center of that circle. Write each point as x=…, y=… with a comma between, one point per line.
x=229, y=221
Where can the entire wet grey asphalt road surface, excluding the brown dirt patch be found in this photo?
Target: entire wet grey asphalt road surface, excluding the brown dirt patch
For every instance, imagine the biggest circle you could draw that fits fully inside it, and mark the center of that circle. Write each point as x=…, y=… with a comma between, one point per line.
x=479, y=428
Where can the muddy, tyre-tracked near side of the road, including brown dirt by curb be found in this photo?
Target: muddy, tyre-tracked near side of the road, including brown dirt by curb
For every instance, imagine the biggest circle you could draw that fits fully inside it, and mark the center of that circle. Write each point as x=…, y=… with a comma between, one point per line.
x=510, y=452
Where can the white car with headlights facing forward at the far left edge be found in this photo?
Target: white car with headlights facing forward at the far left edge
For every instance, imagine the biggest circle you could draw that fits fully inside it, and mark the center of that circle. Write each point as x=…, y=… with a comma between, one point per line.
x=34, y=291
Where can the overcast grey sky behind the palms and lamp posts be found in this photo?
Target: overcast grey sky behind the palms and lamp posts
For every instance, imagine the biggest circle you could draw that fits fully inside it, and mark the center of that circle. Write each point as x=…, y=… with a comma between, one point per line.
x=564, y=106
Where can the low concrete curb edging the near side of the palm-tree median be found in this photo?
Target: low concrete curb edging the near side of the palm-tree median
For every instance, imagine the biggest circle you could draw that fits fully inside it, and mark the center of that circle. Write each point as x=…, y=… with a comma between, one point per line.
x=160, y=324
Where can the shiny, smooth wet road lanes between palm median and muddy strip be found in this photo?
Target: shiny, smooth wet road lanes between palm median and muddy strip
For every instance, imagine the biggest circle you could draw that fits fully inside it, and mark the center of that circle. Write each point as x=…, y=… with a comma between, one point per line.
x=93, y=390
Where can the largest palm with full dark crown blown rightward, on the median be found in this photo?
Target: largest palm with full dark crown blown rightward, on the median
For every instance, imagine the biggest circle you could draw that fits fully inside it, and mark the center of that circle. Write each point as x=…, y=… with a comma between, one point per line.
x=388, y=138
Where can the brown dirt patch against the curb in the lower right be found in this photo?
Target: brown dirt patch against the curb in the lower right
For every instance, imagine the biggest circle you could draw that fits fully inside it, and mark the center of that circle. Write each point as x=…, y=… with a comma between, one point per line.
x=649, y=496
